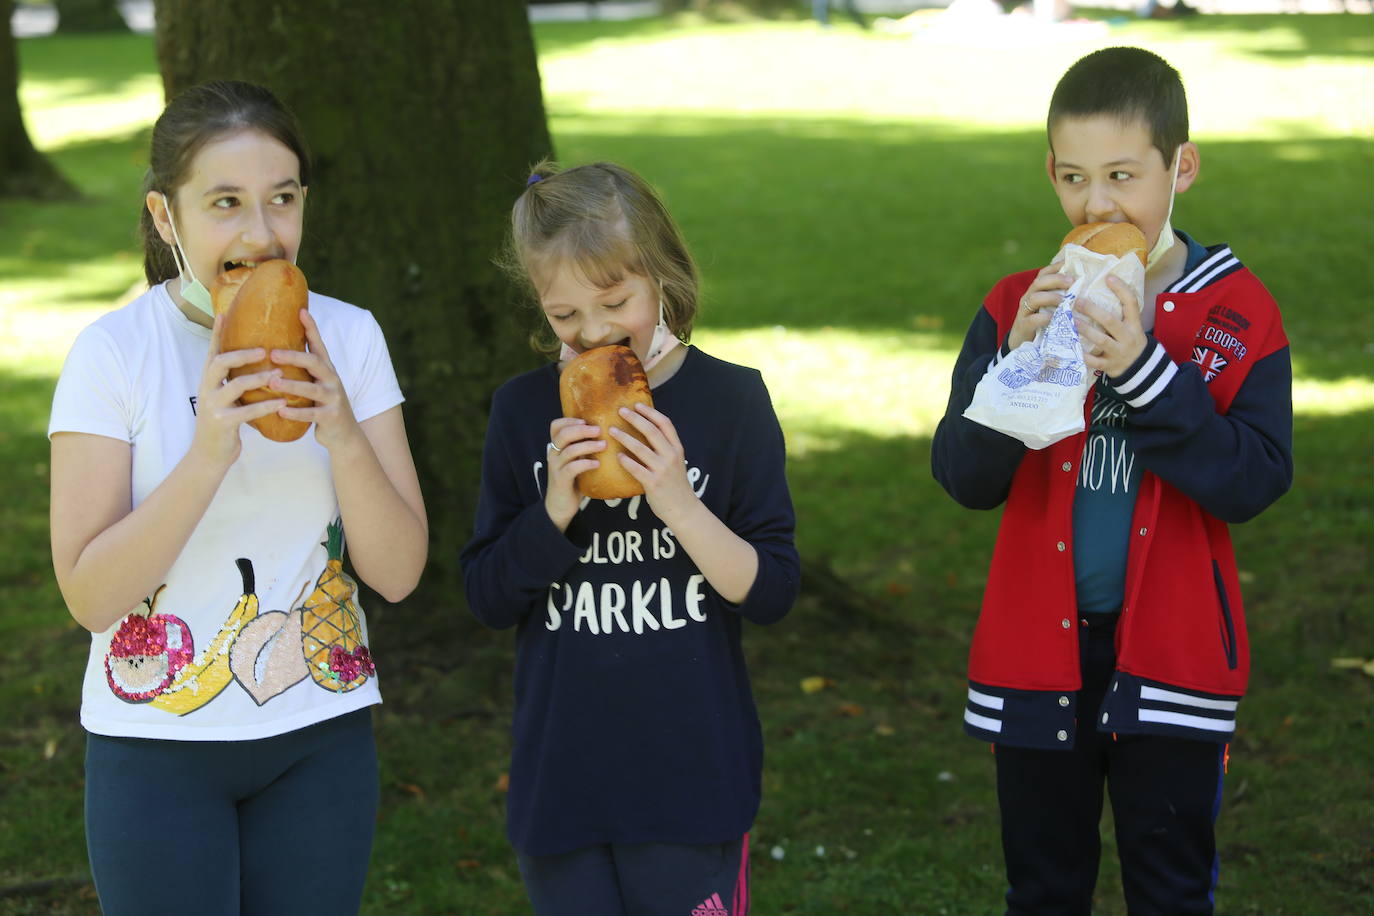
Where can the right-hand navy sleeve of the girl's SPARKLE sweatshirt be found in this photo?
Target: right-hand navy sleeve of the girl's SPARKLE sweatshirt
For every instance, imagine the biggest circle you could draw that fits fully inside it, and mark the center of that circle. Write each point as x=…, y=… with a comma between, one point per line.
x=761, y=512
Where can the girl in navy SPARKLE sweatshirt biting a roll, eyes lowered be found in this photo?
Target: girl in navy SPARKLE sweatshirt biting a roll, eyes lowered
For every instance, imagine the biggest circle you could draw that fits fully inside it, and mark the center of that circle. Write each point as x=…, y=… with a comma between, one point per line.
x=637, y=763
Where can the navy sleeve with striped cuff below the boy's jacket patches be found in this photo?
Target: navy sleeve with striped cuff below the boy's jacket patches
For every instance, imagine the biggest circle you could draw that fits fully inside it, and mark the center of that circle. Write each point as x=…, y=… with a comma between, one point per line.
x=1233, y=465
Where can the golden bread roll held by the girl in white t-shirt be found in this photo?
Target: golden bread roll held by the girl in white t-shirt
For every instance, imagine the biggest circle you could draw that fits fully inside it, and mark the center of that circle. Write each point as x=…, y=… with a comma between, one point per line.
x=263, y=308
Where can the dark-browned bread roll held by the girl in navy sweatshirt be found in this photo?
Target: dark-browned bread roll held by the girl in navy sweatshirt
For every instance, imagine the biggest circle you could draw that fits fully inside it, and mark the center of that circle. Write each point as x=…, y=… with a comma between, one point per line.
x=593, y=389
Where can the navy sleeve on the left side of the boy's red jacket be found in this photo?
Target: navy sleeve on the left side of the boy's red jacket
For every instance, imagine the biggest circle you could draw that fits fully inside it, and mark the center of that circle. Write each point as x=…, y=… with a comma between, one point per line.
x=975, y=465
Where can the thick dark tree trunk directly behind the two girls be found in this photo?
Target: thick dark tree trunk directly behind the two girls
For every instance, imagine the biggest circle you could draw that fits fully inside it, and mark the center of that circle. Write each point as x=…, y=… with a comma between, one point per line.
x=424, y=119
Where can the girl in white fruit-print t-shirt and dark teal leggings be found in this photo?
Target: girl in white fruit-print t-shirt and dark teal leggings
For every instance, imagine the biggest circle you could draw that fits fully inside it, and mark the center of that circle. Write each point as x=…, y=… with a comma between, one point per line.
x=230, y=762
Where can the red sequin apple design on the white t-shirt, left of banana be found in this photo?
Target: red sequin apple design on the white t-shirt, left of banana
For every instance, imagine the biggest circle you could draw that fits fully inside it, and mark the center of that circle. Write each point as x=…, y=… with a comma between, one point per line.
x=148, y=653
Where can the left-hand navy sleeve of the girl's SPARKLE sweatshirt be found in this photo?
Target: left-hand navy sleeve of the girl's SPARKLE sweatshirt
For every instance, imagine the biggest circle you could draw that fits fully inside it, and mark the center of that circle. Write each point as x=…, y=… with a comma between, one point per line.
x=516, y=550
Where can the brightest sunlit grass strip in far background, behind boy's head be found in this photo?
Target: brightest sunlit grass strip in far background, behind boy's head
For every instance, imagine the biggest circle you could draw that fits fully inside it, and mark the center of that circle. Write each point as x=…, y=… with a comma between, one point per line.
x=802, y=72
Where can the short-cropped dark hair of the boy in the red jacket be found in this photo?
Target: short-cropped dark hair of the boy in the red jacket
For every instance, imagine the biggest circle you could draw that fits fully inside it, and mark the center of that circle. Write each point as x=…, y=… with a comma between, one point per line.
x=1129, y=84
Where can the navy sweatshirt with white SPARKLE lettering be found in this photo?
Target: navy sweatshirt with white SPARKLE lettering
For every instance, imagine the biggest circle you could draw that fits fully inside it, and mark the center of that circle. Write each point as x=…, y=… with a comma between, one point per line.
x=634, y=715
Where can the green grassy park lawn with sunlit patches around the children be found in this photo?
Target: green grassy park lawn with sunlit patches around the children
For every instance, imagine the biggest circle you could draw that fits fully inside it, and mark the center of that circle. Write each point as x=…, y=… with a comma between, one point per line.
x=851, y=197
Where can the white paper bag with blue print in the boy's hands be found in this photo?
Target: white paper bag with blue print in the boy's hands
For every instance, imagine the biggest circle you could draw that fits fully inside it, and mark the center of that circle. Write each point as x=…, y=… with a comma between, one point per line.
x=1037, y=393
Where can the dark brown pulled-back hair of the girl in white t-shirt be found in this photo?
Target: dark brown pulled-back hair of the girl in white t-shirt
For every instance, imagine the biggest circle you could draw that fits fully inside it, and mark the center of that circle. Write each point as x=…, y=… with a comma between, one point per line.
x=196, y=117
